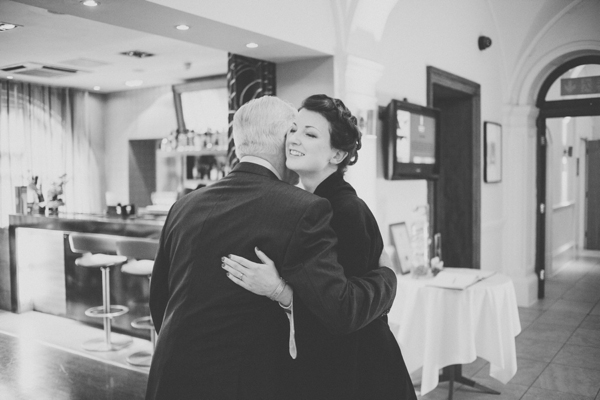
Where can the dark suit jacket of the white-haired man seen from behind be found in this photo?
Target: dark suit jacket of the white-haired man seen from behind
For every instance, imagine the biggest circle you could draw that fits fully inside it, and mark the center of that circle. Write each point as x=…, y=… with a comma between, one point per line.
x=219, y=341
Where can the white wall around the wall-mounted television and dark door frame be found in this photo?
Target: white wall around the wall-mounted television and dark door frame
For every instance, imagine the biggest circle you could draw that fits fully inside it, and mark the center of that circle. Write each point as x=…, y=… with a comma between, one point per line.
x=445, y=39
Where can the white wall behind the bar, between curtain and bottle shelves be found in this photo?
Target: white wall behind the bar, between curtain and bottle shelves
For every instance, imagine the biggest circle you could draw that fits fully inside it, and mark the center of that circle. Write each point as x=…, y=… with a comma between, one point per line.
x=136, y=114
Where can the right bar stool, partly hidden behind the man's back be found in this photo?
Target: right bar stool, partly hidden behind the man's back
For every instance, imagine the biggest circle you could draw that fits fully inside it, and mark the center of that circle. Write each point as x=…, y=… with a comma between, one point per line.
x=140, y=253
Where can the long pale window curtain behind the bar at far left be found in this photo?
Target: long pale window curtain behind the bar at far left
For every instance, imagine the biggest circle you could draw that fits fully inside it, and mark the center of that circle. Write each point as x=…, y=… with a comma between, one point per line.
x=49, y=132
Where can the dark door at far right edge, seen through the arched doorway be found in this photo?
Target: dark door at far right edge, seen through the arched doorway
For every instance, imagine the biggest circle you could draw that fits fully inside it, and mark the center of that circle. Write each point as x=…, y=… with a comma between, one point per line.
x=593, y=196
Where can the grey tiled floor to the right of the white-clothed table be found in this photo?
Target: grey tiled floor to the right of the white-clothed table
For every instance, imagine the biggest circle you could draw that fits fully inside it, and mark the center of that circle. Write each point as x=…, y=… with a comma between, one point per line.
x=558, y=350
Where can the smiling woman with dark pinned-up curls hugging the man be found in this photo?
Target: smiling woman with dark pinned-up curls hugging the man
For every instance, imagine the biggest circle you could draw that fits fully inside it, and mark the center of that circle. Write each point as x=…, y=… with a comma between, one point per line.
x=366, y=364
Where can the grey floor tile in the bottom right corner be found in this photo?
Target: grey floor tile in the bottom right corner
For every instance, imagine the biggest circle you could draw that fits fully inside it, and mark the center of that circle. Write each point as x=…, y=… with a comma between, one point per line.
x=585, y=382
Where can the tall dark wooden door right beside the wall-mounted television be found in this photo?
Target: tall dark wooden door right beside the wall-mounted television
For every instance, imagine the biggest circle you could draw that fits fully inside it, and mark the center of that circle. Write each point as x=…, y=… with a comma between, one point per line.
x=455, y=197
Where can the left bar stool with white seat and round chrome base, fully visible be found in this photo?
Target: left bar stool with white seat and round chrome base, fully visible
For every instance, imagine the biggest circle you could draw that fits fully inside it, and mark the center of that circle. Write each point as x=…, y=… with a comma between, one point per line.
x=99, y=251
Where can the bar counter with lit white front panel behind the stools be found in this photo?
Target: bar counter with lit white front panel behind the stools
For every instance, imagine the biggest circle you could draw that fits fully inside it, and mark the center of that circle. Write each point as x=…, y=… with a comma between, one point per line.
x=44, y=277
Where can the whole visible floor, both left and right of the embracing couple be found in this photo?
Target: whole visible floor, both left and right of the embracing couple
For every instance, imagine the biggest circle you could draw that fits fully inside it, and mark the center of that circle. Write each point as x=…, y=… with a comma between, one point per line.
x=558, y=352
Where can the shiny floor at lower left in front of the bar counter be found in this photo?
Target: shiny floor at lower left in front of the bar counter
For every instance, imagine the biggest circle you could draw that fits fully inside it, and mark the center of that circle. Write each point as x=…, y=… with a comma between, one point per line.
x=41, y=358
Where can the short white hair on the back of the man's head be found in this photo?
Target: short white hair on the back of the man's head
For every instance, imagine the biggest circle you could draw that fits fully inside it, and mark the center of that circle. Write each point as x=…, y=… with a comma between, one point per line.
x=260, y=124
